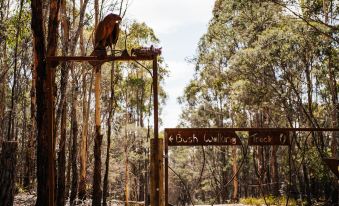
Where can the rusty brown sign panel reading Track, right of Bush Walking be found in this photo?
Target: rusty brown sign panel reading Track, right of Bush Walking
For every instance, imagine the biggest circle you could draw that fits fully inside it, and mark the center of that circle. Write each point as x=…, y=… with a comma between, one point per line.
x=268, y=138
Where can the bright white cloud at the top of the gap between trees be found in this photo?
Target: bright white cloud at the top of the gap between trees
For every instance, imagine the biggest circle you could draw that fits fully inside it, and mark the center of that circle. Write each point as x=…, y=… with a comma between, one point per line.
x=166, y=15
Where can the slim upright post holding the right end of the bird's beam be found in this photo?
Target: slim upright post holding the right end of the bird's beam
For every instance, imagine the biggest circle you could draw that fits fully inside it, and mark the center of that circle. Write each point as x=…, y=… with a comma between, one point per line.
x=155, y=173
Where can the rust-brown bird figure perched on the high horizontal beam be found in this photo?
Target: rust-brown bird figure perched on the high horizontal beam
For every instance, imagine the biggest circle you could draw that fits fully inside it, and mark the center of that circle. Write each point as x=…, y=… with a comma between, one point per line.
x=106, y=34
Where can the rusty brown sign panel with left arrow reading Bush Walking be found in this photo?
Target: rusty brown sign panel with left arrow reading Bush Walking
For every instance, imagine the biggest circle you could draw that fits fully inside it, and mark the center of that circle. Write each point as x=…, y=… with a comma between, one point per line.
x=201, y=136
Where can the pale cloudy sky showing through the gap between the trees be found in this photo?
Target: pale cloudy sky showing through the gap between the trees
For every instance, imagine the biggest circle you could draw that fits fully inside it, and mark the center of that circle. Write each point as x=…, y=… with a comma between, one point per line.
x=178, y=24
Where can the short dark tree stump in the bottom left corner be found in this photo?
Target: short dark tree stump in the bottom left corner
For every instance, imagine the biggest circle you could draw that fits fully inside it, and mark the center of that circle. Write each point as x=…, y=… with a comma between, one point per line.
x=7, y=172
